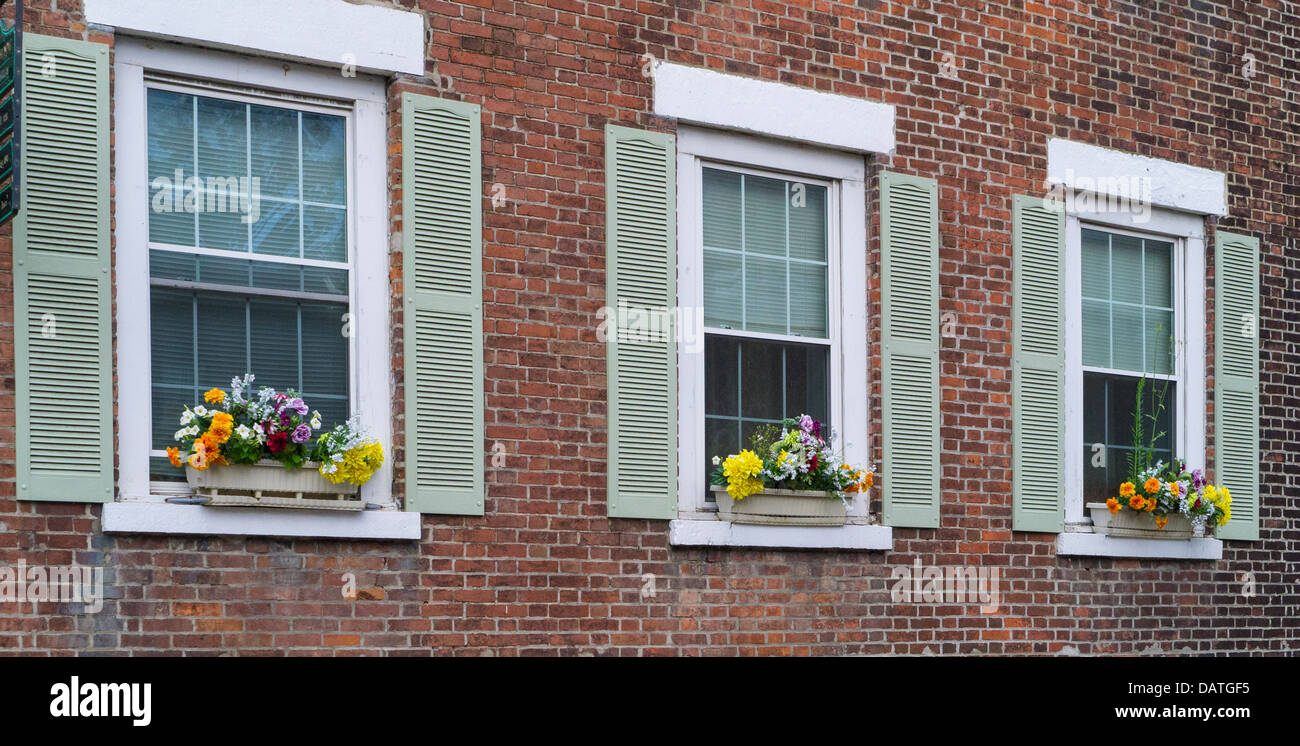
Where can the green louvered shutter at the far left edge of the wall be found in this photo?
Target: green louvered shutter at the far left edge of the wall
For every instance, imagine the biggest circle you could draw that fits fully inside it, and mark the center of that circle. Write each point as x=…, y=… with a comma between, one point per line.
x=63, y=300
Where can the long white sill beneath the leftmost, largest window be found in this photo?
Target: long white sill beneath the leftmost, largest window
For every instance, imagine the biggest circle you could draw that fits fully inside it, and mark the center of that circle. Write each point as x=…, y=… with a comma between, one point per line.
x=167, y=519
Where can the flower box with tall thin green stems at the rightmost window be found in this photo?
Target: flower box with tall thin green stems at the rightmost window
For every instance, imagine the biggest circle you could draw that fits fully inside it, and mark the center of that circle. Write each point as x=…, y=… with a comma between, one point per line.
x=1160, y=501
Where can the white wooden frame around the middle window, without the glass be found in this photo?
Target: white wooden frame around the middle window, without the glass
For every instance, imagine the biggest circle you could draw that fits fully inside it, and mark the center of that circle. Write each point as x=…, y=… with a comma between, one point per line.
x=844, y=175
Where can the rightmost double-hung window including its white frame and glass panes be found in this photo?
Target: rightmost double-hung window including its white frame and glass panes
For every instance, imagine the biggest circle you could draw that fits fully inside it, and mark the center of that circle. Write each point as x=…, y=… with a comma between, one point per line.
x=1137, y=320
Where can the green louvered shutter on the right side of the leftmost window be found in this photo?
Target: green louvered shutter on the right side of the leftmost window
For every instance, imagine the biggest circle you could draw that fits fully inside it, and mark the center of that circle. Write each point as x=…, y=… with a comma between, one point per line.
x=443, y=283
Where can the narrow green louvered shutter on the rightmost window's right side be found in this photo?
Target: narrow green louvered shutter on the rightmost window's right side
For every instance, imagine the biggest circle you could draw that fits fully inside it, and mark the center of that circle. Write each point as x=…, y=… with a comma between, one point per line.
x=1237, y=380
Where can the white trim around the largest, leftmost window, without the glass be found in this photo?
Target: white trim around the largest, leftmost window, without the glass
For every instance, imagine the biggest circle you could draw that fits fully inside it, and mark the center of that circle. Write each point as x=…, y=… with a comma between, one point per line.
x=369, y=201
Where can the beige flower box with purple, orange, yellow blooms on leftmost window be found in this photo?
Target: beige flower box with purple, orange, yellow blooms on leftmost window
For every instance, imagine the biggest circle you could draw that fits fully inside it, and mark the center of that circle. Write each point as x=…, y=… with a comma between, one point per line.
x=244, y=449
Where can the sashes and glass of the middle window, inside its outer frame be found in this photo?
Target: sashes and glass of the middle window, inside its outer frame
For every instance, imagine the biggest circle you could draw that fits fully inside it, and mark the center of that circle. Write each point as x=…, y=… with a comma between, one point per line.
x=768, y=336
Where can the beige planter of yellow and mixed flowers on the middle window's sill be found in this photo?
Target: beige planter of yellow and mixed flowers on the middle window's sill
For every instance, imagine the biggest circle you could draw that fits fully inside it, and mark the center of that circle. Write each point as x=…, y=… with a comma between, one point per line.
x=791, y=478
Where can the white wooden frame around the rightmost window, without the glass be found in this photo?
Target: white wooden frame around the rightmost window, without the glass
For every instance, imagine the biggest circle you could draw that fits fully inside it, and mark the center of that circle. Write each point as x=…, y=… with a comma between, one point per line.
x=1188, y=233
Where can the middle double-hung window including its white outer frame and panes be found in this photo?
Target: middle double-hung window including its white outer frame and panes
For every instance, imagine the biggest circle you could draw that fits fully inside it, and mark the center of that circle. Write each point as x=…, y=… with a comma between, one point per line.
x=772, y=263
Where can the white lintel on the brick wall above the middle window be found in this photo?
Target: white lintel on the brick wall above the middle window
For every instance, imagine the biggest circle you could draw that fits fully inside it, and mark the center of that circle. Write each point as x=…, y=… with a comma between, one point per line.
x=774, y=110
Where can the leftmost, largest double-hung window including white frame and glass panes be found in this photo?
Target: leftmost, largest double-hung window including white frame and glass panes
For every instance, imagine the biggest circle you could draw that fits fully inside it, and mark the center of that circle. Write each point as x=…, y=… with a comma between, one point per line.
x=252, y=238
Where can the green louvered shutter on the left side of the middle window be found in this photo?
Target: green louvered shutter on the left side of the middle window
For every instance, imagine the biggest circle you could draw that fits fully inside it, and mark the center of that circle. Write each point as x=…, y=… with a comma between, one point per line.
x=642, y=274
